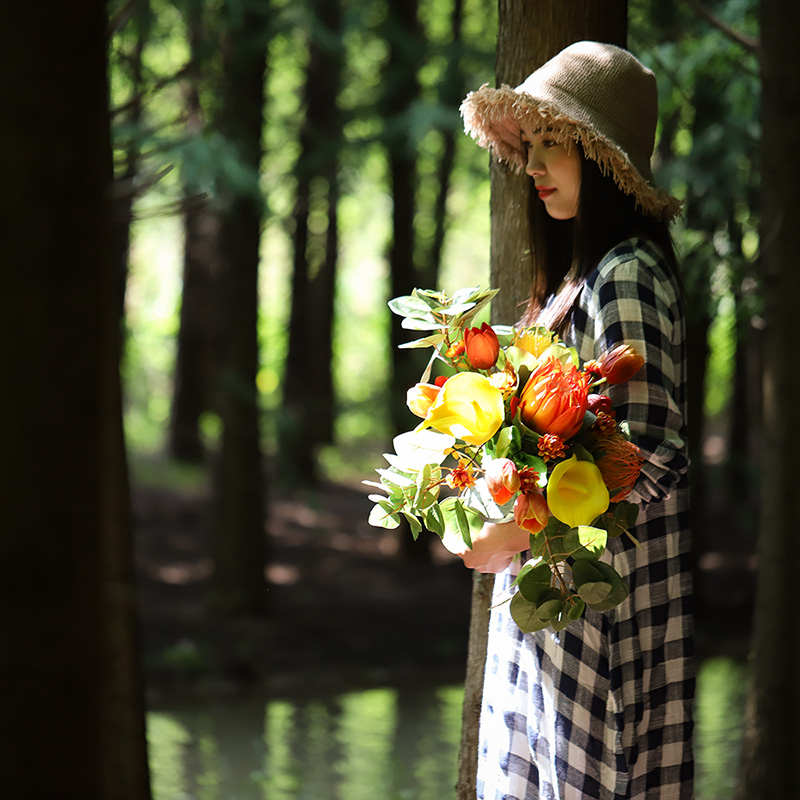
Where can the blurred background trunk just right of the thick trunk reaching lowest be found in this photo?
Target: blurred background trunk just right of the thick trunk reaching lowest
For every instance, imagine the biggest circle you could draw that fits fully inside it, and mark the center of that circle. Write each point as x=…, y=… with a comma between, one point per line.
x=308, y=395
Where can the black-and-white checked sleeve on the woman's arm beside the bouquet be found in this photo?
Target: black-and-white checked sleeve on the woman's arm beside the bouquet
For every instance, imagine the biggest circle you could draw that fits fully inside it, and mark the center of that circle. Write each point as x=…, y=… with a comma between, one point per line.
x=632, y=299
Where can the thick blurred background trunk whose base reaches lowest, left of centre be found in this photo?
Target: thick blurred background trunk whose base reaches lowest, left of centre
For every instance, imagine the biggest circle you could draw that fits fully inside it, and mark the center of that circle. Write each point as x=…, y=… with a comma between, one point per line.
x=240, y=538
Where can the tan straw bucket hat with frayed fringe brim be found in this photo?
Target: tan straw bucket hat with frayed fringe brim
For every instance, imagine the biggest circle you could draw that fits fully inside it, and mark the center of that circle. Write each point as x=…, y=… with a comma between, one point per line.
x=597, y=94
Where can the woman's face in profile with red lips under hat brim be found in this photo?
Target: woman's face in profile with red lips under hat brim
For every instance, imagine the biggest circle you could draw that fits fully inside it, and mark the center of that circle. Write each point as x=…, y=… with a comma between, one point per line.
x=556, y=172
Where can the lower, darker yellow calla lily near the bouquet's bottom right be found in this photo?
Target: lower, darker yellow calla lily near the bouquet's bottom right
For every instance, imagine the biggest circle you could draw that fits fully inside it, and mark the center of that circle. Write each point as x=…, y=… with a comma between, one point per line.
x=576, y=494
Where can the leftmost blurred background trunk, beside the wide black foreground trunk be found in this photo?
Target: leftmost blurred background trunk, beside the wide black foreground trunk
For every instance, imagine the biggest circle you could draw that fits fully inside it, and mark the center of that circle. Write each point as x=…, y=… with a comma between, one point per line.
x=198, y=336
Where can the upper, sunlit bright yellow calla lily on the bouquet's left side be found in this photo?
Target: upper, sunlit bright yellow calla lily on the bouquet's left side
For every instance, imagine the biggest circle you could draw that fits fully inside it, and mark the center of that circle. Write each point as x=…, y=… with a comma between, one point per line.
x=468, y=407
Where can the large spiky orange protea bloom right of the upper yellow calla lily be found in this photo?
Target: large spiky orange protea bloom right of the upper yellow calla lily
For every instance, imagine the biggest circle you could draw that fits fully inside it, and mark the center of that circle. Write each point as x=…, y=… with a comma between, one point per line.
x=554, y=399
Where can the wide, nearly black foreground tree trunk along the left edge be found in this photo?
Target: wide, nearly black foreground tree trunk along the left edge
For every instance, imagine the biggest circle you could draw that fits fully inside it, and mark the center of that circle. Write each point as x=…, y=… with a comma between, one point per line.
x=72, y=722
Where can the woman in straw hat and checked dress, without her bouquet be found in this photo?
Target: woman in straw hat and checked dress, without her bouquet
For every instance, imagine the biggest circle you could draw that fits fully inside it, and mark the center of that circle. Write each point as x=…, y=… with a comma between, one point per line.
x=601, y=709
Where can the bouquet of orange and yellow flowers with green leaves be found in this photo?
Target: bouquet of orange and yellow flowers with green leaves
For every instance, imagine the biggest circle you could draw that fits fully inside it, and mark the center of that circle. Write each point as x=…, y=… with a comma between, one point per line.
x=514, y=430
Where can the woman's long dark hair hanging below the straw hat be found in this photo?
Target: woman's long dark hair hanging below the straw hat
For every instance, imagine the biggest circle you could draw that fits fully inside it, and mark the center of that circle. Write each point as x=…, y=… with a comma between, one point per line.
x=564, y=252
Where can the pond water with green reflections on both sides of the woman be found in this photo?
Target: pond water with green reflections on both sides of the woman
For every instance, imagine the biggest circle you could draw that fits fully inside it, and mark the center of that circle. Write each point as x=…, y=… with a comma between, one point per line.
x=391, y=743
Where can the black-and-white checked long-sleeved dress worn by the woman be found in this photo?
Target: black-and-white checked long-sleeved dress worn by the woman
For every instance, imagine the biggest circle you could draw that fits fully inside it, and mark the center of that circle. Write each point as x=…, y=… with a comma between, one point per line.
x=603, y=709
